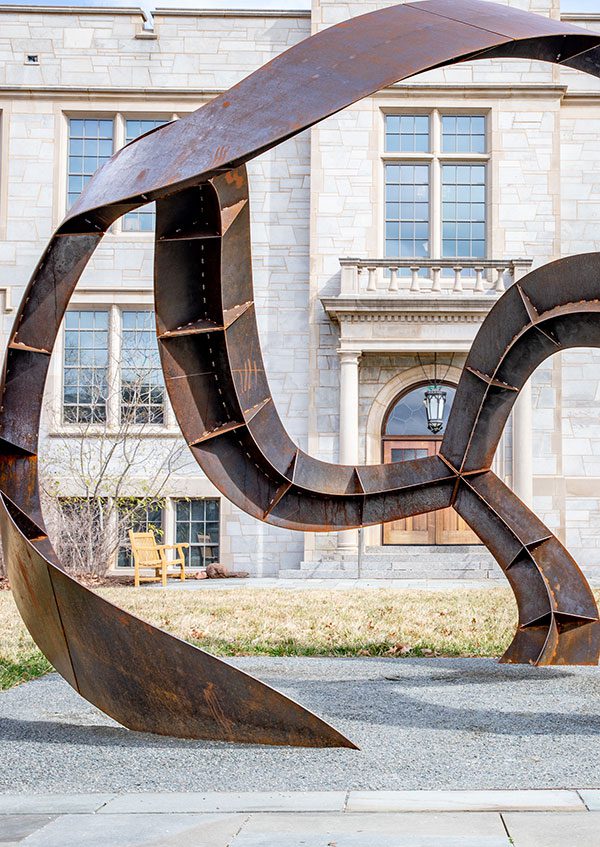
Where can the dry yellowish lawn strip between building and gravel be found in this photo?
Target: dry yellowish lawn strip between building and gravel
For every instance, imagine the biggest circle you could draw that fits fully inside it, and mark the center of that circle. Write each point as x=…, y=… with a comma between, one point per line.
x=280, y=622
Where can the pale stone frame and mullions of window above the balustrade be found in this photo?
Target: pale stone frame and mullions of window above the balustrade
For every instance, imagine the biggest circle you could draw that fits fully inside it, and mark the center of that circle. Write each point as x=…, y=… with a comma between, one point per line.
x=435, y=159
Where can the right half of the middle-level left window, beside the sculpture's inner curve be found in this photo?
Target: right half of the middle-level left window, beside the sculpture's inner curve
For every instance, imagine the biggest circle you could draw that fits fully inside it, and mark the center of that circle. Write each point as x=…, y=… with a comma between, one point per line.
x=142, y=385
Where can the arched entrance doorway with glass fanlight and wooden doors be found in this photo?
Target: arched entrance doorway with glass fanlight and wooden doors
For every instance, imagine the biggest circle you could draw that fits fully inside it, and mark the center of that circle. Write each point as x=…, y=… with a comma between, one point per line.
x=406, y=436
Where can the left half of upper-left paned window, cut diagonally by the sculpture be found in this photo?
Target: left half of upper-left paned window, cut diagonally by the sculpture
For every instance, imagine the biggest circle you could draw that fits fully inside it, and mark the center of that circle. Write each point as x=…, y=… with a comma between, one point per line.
x=90, y=146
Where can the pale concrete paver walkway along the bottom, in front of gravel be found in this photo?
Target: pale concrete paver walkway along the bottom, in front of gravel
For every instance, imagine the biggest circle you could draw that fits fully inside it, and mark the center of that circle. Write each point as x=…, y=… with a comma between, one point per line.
x=304, y=819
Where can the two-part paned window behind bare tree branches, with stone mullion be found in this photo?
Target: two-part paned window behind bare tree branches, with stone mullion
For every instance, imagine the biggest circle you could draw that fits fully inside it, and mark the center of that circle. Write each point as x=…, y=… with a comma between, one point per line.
x=133, y=368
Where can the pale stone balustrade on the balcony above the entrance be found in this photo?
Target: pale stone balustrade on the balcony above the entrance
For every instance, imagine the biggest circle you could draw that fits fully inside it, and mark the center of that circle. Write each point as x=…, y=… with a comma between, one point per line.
x=435, y=277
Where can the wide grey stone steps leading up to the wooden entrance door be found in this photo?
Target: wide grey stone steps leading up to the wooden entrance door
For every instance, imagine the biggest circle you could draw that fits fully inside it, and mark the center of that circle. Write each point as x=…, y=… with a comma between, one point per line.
x=472, y=562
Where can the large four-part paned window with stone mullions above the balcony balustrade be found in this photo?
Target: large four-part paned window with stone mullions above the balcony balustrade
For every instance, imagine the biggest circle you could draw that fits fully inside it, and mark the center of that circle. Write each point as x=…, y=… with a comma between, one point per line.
x=435, y=186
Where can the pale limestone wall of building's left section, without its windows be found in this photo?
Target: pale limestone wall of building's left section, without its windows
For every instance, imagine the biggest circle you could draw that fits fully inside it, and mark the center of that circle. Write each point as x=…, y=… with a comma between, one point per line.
x=92, y=64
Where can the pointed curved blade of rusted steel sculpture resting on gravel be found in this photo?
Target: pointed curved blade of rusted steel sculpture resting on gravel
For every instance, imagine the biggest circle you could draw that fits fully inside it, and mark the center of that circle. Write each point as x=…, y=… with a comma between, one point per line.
x=145, y=678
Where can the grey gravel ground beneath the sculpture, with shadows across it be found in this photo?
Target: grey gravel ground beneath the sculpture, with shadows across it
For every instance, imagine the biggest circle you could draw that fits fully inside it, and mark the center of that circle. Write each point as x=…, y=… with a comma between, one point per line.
x=420, y=723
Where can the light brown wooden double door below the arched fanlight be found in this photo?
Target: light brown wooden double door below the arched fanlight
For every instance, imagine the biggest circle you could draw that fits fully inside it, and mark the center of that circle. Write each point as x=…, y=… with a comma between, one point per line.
x=442, y=527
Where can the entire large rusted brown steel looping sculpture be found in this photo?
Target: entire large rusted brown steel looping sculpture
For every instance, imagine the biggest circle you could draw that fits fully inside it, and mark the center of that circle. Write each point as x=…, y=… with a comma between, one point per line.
x=194, y=169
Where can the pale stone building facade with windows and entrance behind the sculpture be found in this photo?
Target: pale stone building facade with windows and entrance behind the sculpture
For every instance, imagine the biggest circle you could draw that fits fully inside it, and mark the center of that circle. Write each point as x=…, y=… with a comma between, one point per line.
x=381, y=239
